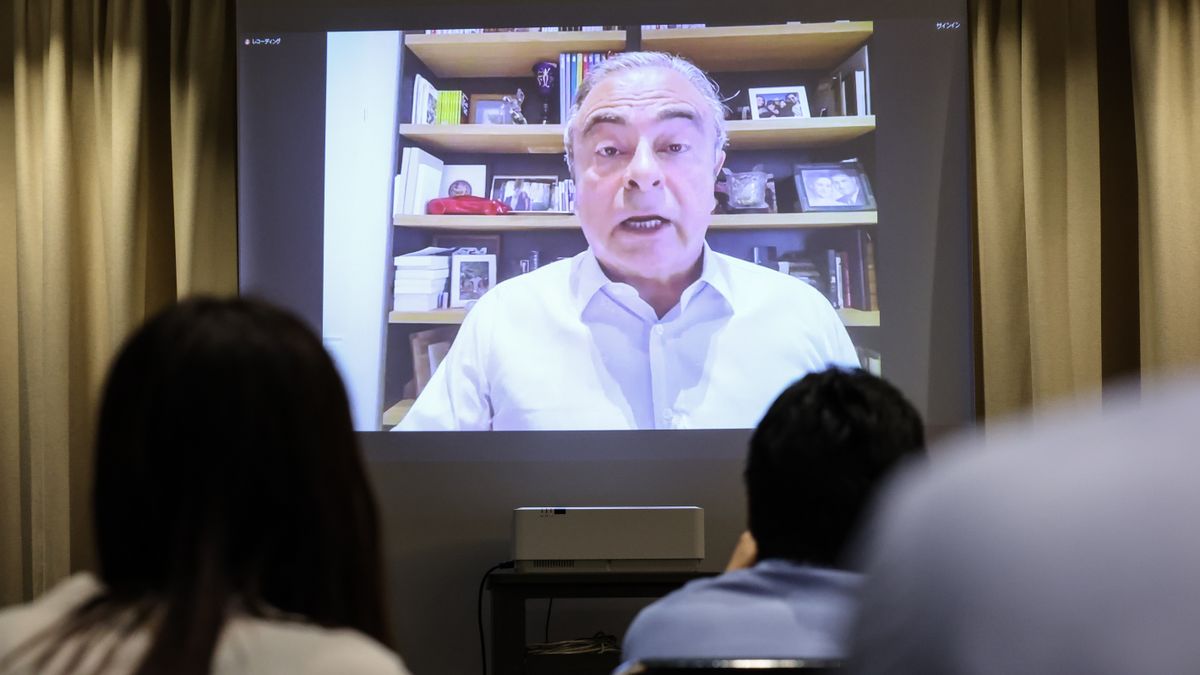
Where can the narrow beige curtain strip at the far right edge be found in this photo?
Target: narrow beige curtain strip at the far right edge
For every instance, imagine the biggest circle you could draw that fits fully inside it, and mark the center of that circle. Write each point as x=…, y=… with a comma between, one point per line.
x=1165, y=35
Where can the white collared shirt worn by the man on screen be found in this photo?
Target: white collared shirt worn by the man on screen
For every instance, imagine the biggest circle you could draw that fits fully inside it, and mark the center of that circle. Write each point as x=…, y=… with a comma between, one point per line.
x=566, y=348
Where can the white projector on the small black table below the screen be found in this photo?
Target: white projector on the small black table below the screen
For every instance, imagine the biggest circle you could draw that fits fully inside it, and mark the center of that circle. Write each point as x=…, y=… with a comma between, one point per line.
x=608, y=539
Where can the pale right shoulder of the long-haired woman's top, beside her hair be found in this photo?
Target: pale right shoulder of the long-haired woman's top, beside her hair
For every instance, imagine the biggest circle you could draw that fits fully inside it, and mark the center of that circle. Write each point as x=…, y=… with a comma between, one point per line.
x=265, y=646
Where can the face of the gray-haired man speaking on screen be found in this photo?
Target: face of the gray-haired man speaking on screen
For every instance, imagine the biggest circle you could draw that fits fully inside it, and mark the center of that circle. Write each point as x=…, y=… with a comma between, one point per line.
x=646, y=158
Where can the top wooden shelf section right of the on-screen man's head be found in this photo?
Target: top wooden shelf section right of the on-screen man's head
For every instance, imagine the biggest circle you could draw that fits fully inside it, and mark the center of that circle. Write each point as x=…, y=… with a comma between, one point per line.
x=763, y=47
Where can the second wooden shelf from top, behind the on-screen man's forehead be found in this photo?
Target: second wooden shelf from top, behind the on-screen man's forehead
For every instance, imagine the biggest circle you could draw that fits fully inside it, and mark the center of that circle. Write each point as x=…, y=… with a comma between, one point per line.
x=548, y=139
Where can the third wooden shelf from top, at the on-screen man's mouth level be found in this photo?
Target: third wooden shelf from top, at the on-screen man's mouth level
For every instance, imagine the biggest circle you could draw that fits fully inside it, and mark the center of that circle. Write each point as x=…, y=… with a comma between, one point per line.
x=544, y=223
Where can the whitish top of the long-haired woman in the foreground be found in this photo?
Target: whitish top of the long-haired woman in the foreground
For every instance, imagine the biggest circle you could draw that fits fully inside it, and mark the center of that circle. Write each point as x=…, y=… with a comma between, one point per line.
x=247, y=646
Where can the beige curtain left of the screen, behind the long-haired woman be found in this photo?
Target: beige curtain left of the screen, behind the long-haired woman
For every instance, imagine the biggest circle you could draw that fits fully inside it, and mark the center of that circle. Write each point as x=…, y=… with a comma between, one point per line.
x=124, y=201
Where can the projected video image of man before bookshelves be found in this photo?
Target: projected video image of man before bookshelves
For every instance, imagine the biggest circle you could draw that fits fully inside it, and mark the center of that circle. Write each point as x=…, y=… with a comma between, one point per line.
x=584, y=237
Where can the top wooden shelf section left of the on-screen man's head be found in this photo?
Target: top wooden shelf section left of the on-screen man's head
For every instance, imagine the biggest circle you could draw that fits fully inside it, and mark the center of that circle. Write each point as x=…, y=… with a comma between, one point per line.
x=505, y=55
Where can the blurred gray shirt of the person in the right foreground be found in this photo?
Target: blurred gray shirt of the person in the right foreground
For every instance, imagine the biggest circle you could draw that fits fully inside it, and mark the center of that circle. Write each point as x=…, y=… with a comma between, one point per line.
x=1069, y=545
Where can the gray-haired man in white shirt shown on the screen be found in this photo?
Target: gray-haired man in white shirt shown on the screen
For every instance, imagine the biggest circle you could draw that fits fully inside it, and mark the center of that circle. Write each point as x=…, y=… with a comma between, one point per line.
x=649, y=328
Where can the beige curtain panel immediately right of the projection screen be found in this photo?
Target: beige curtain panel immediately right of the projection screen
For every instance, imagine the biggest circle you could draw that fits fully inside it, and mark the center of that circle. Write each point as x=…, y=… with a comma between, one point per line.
x=1037, y=165
